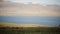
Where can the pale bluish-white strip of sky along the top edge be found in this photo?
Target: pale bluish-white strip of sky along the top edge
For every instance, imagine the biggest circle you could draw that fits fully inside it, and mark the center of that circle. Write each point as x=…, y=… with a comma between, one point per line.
x=38, y=1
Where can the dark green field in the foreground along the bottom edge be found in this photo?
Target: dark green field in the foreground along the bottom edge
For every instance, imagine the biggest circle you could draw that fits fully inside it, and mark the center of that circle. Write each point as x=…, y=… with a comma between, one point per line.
x=29, y=30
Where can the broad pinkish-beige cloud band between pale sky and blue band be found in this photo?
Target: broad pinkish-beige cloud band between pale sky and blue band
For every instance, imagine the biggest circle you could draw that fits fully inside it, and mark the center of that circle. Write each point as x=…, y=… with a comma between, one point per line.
x=22, y=9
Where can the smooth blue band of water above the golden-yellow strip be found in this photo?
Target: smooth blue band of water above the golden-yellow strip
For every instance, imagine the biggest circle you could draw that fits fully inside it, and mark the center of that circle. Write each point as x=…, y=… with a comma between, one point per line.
x=43, y=20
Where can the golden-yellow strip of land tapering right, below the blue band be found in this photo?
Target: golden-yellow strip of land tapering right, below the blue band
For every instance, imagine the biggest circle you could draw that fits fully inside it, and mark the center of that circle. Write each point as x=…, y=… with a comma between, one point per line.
x=2, y=24
